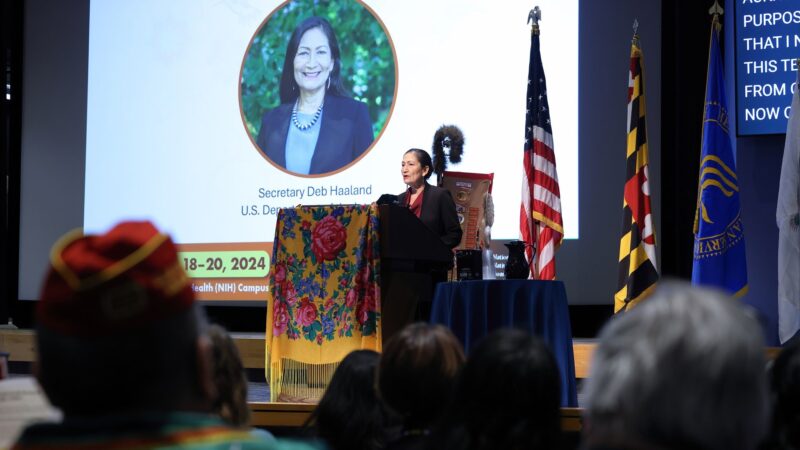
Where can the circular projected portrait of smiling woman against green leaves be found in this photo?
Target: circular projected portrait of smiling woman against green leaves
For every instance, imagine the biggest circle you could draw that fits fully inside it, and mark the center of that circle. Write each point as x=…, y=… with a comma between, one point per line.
x=317, y=85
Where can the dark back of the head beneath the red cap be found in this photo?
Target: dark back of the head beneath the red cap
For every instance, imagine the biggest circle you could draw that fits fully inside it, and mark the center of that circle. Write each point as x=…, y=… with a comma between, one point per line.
x=150, y=368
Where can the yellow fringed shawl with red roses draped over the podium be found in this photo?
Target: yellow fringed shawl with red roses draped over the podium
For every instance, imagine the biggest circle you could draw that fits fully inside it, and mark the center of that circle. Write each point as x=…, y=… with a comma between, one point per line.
x=324, y=296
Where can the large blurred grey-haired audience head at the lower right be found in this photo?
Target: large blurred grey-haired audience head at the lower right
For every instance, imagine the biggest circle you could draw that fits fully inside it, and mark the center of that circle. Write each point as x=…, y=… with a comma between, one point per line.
x=683, y=370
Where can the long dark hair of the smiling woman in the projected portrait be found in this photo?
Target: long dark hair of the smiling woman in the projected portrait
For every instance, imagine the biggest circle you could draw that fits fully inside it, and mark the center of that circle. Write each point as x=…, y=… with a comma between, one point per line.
x=289, y=89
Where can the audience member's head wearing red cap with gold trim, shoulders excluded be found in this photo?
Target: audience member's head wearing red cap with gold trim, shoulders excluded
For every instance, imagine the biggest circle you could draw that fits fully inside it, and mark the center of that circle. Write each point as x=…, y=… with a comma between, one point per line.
x=117, y=327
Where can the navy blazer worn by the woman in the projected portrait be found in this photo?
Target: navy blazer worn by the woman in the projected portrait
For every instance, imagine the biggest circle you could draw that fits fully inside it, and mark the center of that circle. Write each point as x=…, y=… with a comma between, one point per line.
x=345, y=133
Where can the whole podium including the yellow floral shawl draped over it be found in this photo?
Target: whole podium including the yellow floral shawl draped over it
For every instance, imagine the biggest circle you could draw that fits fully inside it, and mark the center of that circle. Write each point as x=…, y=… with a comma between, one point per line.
x=341, y=278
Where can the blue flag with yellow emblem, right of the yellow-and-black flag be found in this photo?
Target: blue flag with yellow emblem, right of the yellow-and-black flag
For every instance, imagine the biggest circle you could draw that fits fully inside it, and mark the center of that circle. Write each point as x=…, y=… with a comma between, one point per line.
x=719, y=256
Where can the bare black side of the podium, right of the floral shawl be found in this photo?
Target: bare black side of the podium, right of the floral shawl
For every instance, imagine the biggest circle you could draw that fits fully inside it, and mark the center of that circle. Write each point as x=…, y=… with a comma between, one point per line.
x=412, y=259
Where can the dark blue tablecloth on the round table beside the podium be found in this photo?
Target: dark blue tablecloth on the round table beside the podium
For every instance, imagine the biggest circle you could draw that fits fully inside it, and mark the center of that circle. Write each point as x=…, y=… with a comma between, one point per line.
x=472, y=309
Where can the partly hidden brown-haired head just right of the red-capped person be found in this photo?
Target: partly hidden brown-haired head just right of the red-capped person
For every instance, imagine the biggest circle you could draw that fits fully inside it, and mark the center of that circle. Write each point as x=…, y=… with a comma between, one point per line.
x=230, y=379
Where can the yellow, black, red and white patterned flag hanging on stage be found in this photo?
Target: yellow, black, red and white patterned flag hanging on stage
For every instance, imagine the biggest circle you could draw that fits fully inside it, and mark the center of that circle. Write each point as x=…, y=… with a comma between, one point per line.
x=638, y=271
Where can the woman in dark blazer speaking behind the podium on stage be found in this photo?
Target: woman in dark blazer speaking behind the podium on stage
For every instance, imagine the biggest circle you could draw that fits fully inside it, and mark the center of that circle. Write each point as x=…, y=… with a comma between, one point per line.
x=433, y=205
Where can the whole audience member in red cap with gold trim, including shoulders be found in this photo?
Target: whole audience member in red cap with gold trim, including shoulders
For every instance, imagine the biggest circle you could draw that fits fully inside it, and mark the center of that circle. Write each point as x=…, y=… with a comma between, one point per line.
x=122, y=349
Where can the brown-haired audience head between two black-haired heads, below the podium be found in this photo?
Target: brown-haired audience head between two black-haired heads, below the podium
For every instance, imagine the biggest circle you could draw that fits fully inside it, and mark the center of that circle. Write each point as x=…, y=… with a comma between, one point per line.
x=417, y=370
